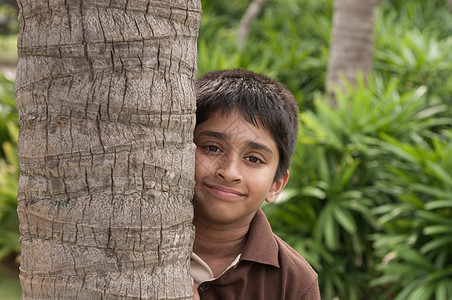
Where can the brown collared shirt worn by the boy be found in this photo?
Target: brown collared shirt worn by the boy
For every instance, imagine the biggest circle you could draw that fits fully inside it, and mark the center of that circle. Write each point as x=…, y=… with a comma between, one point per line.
x=267, y=268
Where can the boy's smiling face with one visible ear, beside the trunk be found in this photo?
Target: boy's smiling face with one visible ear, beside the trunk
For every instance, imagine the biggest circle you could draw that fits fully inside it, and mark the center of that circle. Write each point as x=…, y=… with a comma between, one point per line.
x=234, y=169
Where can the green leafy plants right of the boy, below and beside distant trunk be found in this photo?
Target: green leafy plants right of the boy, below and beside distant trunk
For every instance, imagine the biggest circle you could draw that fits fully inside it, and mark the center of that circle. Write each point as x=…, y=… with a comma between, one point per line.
x=368, y=204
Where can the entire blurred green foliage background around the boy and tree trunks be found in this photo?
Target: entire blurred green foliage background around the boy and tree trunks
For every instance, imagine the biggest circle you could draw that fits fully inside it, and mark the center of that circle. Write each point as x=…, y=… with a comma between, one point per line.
x=369, y=202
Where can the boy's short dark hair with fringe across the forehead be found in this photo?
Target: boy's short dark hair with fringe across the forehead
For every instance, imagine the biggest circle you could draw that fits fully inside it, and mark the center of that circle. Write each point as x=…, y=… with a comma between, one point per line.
x=259, y=99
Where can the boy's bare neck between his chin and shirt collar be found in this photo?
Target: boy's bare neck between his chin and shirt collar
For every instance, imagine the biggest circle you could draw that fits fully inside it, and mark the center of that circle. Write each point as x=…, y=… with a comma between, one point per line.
x=217, y=246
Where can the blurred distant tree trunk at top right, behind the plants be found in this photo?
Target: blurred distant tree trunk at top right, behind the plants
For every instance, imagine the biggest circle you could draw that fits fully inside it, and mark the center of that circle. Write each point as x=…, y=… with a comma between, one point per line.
x=352, y=42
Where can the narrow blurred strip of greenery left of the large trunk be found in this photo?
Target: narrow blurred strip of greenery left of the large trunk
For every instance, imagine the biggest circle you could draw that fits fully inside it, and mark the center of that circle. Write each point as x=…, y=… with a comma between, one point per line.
x=9, y=166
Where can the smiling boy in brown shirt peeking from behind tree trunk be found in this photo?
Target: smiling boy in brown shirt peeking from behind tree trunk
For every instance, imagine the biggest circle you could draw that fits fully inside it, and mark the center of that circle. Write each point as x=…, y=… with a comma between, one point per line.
x=246, y=130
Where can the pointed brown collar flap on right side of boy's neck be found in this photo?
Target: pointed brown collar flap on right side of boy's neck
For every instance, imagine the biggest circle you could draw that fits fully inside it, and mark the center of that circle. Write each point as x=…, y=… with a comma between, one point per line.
x=261, y=246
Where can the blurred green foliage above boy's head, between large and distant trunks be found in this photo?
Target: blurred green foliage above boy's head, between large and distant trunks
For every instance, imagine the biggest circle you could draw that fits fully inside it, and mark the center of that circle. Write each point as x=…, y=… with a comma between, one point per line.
x=273, y=46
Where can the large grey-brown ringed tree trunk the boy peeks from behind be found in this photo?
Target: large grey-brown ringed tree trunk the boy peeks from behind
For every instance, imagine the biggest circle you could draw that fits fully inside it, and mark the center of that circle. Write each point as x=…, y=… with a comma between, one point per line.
x=105, y=96
